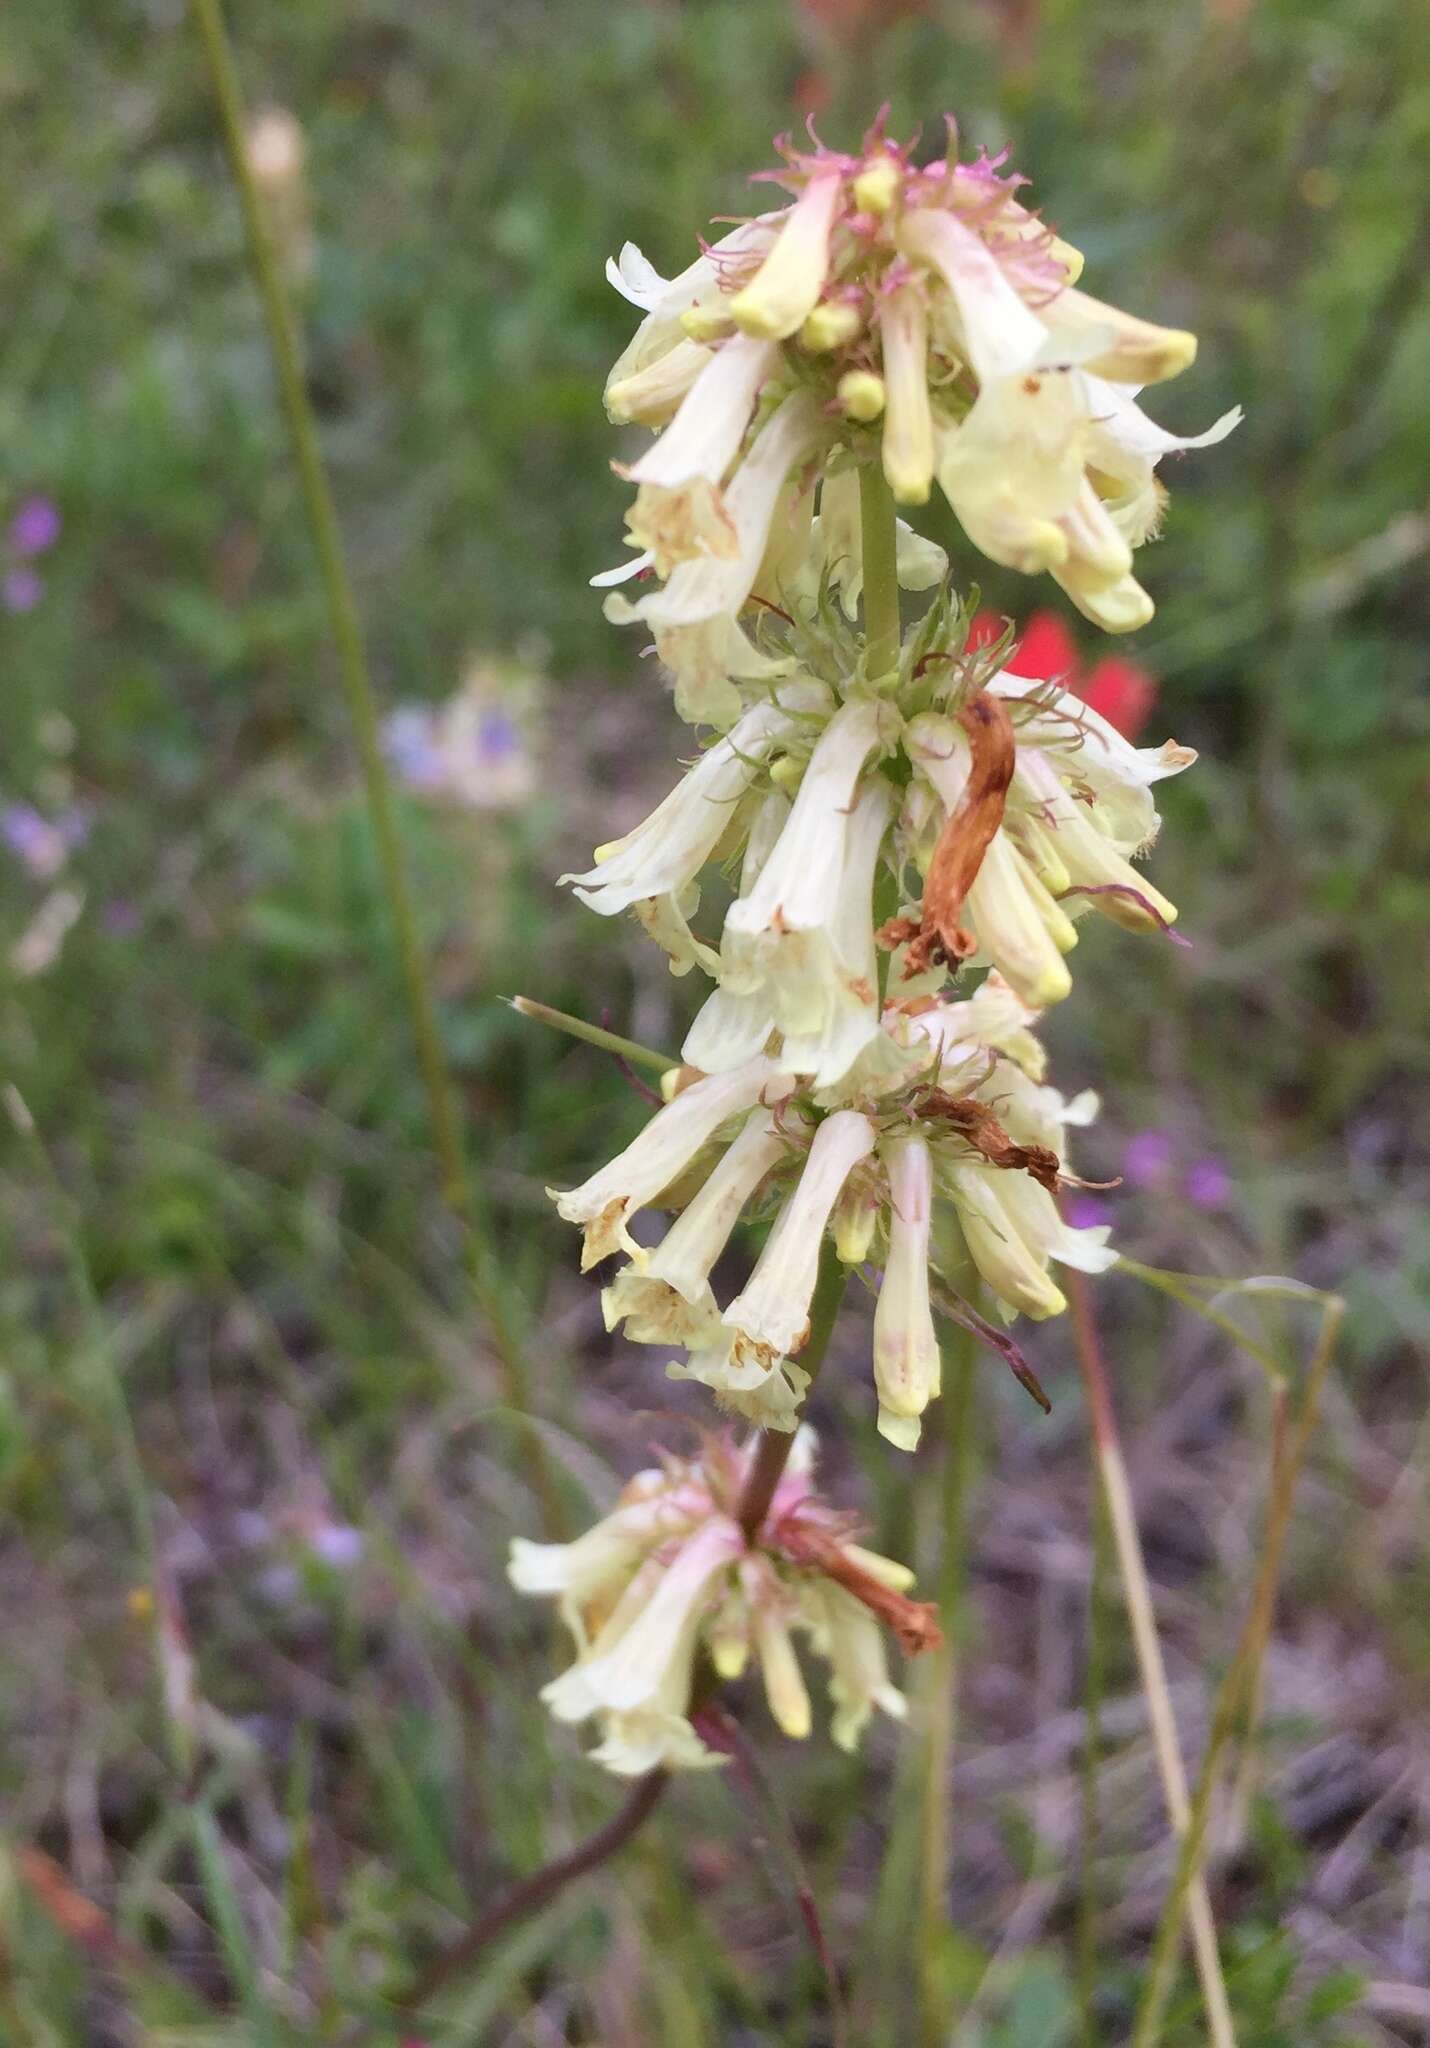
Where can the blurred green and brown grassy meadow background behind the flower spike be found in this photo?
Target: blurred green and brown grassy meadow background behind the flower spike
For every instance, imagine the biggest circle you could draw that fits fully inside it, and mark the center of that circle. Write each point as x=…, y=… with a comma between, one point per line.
x=220, y=1068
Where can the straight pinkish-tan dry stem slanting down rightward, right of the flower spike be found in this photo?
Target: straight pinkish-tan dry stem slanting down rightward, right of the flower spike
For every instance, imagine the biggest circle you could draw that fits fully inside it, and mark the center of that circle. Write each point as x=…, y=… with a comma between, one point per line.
x=1144, y=1625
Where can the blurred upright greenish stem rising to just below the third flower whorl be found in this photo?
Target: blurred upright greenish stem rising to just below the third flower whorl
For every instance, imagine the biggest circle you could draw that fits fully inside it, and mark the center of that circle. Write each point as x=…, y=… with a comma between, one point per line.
x=941, y=1699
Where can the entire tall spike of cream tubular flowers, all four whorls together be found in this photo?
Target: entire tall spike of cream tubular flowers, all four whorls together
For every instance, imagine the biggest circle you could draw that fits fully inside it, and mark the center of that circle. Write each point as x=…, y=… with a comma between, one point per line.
x=909, y=833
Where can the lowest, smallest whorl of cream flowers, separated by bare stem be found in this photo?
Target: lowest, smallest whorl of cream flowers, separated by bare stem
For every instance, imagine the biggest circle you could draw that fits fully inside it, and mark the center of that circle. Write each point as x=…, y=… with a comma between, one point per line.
x=671, y=1576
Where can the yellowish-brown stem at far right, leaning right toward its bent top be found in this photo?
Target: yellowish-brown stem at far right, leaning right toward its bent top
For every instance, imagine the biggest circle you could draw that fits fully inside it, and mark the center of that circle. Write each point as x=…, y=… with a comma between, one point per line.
x=1243, y=1680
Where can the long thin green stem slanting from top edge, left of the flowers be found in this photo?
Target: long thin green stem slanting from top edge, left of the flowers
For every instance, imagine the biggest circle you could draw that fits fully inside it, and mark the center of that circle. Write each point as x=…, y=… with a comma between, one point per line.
x=357, y=687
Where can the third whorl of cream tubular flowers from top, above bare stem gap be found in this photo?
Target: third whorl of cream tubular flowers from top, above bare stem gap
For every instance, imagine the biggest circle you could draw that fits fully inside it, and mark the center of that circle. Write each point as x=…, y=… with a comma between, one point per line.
x=941, y=1162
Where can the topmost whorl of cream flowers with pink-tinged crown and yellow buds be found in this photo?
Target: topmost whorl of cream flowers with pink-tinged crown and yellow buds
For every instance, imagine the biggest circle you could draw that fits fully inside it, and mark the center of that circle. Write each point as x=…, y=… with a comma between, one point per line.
x=919, y=316
